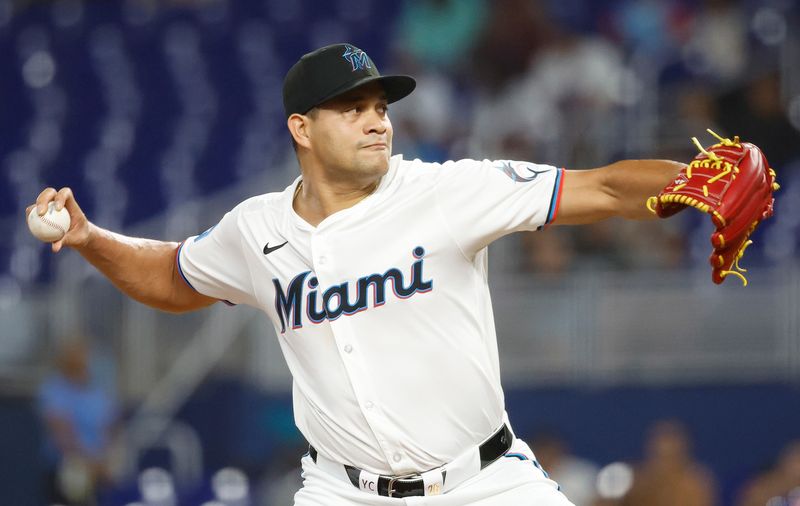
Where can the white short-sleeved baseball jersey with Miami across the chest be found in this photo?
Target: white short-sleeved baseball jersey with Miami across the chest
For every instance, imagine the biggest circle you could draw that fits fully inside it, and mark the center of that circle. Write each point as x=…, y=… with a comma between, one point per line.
x=383, y=310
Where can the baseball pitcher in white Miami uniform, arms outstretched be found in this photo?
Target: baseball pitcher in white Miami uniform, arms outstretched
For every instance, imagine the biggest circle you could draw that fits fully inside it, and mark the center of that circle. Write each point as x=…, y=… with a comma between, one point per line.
x=372, y=268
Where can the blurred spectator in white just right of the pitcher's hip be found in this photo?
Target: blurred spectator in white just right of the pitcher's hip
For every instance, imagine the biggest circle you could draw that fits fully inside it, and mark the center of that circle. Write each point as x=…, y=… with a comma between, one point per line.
x=575, y=476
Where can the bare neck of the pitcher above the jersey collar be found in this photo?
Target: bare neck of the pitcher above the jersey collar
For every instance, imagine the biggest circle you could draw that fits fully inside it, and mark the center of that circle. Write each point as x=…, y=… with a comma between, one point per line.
x=315, y=200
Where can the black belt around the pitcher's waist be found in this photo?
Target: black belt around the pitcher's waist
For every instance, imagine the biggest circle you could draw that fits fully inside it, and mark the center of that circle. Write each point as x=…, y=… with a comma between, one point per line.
x=412, y=485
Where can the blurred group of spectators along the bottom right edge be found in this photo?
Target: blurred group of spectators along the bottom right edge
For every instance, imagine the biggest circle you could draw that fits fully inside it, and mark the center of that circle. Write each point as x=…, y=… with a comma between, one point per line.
x=667, y=474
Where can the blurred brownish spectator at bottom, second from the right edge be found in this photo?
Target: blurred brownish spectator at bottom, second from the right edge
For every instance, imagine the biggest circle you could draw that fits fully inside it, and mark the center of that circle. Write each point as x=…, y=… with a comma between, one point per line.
x=669, y=474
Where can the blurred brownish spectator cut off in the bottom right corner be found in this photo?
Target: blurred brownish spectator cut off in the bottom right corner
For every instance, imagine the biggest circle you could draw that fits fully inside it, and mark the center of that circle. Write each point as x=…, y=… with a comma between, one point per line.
x=779, y=481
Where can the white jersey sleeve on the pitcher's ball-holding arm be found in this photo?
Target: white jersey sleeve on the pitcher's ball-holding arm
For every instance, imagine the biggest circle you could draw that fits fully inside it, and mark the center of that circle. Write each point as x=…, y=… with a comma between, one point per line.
x=214, y=263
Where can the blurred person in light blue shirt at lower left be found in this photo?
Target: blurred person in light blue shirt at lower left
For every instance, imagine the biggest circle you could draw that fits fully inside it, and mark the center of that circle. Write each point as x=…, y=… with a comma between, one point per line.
x=78, y=413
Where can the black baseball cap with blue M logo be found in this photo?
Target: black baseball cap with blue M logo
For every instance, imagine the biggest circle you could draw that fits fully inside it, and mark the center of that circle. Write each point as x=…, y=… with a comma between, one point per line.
x=332, y=70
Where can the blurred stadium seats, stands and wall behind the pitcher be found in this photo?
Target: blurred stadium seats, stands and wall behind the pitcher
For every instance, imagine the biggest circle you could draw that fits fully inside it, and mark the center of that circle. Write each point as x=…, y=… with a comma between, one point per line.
x=161, y=115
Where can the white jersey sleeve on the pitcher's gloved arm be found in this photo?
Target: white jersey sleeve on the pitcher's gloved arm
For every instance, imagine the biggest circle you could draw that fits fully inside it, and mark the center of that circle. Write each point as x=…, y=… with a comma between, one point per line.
x=484, y=200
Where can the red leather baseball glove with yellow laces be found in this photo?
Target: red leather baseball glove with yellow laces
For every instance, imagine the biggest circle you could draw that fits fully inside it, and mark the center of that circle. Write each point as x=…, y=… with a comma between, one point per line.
x=731, y=181
